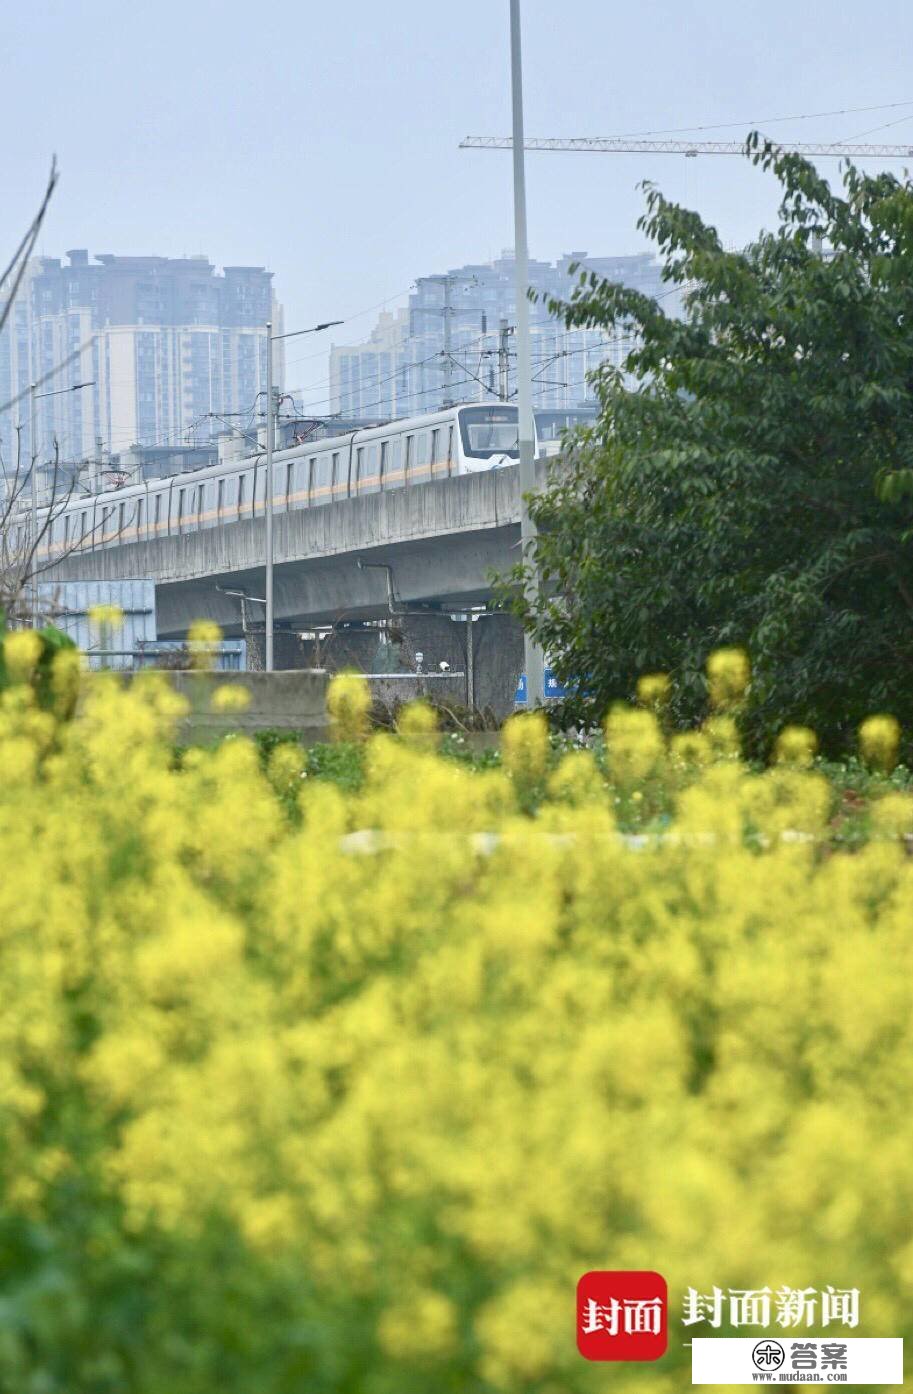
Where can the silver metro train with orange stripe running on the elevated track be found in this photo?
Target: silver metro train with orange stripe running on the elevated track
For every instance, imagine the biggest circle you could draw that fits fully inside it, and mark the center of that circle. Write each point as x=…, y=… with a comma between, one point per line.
x=454, y=441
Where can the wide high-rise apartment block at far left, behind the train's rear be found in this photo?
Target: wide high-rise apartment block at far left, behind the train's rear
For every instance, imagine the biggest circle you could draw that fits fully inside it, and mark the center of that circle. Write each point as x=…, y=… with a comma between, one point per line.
x=169, y=345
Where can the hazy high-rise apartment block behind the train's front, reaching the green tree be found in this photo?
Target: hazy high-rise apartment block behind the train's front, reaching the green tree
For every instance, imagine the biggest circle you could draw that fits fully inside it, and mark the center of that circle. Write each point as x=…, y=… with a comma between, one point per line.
x=455, y=341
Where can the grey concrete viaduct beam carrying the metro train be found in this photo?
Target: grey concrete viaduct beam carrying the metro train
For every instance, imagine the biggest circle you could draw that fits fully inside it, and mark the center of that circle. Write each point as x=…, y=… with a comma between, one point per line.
x=441, y=539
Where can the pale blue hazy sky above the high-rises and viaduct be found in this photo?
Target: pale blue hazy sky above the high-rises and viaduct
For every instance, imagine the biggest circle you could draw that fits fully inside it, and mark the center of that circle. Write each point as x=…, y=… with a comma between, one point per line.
x=321, y=140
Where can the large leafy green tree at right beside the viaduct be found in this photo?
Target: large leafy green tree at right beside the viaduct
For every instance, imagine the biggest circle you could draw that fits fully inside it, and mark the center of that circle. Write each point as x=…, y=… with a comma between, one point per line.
x=751, y=473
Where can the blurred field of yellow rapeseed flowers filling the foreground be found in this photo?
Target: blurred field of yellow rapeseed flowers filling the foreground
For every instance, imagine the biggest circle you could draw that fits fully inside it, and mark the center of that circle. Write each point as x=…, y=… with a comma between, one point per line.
x=434, y=1057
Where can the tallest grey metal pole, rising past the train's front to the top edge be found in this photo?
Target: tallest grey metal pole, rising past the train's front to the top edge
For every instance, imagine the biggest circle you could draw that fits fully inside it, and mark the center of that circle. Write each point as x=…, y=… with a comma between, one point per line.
x=526, y=426
